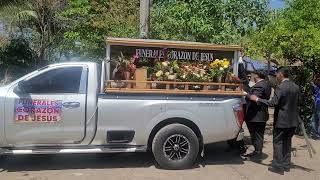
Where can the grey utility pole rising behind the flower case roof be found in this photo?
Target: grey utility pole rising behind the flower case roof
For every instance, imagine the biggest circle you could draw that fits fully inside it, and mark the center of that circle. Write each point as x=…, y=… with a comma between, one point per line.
x=144, y=18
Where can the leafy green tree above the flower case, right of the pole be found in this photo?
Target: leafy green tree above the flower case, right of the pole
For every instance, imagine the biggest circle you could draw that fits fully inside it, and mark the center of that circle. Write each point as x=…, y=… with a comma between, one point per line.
x=215, y=21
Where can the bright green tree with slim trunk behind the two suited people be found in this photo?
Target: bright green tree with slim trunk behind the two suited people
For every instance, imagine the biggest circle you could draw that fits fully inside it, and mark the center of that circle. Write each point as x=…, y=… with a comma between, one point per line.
x=292, y=36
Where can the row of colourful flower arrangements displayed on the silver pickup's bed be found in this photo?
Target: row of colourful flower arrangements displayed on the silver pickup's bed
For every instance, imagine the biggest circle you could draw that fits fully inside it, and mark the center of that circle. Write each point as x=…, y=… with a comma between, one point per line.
x=176, y=71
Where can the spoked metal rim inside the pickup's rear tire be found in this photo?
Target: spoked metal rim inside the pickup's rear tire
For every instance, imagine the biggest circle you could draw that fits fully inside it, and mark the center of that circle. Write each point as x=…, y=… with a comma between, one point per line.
x=176, y=147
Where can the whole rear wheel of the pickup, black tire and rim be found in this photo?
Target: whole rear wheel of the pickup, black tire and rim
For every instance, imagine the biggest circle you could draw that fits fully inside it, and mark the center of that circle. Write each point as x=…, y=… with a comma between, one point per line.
x=171, y=154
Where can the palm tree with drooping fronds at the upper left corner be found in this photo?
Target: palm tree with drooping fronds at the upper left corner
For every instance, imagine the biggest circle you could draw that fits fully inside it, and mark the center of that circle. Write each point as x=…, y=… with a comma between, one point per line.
x=37, y=21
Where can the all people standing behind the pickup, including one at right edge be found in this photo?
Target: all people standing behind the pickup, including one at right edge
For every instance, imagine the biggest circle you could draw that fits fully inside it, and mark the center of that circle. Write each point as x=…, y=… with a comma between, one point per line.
x=285, y=100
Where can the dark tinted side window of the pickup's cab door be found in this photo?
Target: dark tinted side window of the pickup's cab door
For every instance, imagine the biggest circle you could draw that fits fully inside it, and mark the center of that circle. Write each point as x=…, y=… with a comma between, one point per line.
x=60, y=80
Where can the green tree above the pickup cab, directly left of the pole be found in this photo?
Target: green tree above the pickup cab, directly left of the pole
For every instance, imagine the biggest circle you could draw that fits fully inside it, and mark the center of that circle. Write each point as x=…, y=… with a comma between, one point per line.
x=88, y=23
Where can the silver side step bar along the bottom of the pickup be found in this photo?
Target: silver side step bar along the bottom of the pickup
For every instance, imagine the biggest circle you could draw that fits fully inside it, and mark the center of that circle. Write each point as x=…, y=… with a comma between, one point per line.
x=96, y=149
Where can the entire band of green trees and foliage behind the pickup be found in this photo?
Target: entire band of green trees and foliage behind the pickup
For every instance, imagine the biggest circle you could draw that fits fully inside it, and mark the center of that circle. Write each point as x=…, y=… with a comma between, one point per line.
x=39, y=32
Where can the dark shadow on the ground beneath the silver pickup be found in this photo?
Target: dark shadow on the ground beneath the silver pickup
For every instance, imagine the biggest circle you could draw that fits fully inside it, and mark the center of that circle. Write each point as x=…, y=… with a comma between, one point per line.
x=215, y=154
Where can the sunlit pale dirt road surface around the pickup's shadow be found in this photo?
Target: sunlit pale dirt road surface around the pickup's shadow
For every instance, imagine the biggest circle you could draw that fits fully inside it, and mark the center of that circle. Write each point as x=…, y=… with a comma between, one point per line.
x=218, y=163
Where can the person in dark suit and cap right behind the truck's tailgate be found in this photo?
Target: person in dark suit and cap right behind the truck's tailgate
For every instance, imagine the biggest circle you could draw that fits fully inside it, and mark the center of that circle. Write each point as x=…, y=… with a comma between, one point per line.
x=257, y=113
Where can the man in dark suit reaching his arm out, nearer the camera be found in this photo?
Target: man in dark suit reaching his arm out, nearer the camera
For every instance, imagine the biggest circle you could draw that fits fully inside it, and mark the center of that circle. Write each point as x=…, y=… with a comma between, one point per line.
x=286, y=119
